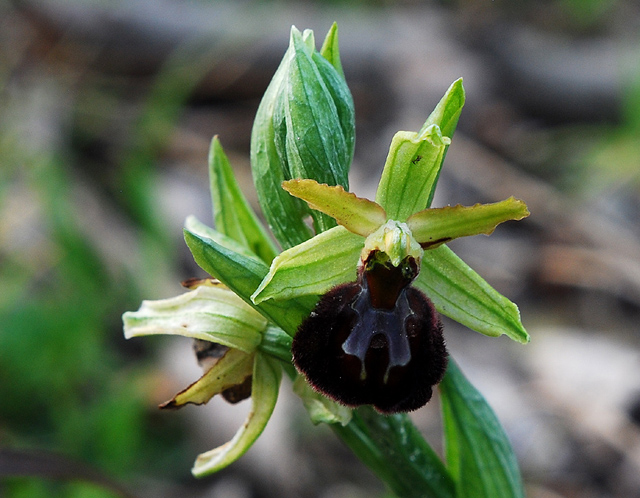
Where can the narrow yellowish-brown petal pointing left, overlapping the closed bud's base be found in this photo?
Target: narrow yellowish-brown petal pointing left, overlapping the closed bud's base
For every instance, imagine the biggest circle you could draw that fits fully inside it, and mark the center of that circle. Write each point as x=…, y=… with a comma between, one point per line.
x=358, y=215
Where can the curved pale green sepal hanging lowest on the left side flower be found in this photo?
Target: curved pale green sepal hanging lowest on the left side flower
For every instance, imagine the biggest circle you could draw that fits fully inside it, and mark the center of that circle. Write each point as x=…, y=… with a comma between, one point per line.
x=264, y=394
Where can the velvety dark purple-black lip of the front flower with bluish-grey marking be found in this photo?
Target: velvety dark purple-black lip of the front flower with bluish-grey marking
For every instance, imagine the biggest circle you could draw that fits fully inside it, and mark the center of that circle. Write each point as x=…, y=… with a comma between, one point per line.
x=377, y=341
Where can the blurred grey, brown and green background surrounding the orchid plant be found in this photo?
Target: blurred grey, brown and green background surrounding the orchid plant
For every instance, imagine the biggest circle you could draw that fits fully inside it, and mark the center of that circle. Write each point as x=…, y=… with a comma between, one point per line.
x=107, y=110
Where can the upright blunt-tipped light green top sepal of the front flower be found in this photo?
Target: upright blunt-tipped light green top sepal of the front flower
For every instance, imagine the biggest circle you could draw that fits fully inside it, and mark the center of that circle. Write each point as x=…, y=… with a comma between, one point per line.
x=410, y=172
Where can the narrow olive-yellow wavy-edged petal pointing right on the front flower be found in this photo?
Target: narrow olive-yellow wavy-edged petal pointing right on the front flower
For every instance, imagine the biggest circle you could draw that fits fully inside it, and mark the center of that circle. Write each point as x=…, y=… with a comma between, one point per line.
x=433, y=227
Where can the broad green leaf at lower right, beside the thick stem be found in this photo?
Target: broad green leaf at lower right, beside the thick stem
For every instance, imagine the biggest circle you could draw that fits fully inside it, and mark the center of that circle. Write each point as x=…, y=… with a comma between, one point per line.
x=478, y=452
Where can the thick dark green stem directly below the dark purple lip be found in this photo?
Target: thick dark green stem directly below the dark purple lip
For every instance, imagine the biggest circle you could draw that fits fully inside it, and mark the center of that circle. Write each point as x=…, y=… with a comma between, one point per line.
x=396, y=452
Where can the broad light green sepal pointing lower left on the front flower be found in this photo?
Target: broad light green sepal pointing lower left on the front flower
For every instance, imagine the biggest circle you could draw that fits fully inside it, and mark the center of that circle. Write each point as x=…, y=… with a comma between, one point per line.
x=314, y=267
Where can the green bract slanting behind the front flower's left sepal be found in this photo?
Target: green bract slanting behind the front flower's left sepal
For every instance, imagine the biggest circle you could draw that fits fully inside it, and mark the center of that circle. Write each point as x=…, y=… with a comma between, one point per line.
x=242, y=275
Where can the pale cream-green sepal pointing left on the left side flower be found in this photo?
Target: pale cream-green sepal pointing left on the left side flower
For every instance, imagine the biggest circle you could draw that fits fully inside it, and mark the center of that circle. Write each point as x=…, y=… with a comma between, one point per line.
x=209, y=313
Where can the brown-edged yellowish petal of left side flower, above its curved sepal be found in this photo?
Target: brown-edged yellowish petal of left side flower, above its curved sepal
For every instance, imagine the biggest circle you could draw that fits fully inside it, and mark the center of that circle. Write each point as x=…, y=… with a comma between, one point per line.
x=230, y=370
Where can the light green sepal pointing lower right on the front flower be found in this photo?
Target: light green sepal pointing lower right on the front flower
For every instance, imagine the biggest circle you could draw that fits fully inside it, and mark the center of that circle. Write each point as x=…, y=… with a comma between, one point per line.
x=460, y=293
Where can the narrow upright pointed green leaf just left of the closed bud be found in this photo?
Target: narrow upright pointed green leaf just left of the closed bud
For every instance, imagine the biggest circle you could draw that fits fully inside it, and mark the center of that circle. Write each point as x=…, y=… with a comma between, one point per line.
x=232, y=213
